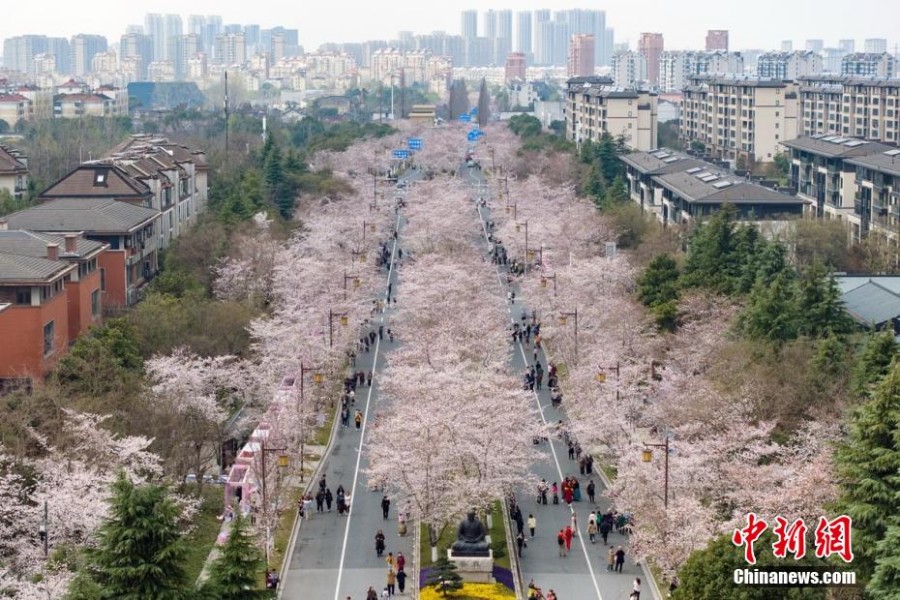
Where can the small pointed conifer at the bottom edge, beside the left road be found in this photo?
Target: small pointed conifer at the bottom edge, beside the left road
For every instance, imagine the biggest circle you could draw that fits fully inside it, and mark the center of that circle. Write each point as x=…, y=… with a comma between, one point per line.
x=235, y=575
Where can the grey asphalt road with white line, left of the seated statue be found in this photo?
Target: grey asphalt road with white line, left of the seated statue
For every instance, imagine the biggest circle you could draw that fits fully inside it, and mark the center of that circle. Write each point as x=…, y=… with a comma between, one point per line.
x=334, y=556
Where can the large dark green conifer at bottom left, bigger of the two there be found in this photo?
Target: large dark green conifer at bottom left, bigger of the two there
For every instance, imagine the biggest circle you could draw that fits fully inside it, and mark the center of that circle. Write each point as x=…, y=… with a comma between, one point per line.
x=140, y=549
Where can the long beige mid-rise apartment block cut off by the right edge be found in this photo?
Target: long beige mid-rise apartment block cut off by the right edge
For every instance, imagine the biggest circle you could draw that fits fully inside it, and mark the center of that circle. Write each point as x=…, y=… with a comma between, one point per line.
x=860, y=107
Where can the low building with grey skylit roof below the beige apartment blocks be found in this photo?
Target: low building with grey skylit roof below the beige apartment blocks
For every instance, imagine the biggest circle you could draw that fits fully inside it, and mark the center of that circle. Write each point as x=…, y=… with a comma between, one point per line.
x=679, y=189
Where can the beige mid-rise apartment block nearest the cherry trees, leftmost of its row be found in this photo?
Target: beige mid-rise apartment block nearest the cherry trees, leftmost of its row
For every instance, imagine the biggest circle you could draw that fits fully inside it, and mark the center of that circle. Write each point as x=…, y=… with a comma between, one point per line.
x=594, y=107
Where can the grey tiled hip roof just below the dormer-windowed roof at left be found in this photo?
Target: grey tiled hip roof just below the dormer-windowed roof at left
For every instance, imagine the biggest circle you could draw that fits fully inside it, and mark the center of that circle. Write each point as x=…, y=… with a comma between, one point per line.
x=90, y=215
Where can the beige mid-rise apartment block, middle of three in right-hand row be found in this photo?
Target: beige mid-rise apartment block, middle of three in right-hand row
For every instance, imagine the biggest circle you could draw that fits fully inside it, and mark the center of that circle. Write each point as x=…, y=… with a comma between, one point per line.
x=739, y=118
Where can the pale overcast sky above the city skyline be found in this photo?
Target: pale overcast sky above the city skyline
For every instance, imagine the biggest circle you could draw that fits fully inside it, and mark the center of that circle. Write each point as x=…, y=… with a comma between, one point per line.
x=756, y=24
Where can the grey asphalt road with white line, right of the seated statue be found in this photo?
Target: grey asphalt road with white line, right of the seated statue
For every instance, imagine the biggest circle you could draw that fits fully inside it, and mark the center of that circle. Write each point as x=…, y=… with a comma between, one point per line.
x=582, y=574
